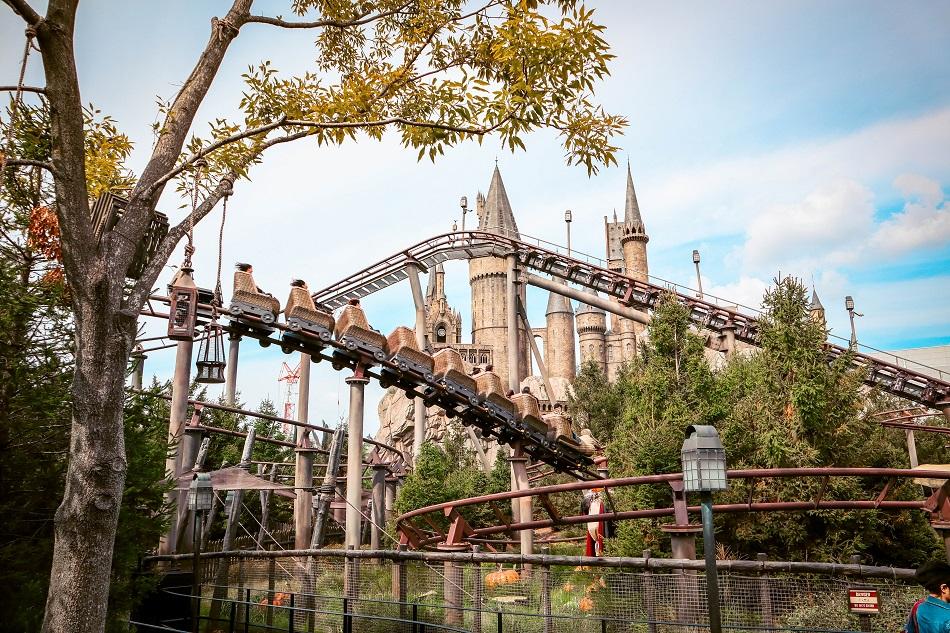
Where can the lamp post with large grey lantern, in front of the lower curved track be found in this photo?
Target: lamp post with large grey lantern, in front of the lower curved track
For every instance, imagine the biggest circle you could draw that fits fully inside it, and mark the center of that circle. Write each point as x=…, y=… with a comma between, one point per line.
x=704, y=471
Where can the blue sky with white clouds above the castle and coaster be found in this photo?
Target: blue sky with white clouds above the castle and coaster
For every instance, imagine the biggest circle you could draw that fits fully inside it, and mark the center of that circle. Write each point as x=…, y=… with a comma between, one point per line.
x=810, y=138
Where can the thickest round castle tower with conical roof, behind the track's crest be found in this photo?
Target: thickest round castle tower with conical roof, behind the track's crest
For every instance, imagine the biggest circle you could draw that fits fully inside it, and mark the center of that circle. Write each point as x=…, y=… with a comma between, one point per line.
x=489, y=282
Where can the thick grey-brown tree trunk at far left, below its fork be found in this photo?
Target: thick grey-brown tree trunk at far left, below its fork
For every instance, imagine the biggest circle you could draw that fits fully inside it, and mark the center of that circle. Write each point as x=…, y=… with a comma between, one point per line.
x=86, y=520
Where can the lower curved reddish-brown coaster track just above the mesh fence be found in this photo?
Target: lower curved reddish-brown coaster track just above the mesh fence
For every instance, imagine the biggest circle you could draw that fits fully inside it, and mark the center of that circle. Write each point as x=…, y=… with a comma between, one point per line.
x=458, y=531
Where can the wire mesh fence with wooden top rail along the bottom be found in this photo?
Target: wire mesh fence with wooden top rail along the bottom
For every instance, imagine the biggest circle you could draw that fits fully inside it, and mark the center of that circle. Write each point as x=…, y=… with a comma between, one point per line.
x=335, y=593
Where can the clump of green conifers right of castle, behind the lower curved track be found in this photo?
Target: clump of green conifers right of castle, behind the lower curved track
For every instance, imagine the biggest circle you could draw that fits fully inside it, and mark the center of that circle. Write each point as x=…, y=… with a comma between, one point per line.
x=780, y=405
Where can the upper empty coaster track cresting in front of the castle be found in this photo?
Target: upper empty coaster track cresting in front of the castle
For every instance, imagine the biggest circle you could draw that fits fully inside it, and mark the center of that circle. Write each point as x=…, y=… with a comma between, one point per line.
x=916, y=383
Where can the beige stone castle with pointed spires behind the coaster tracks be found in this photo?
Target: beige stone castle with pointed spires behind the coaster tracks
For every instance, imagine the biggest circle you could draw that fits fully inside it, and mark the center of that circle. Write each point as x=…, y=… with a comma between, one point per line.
x=565, y=333
